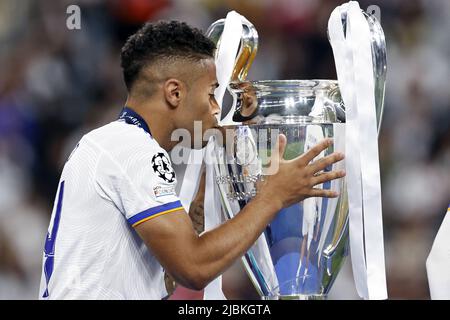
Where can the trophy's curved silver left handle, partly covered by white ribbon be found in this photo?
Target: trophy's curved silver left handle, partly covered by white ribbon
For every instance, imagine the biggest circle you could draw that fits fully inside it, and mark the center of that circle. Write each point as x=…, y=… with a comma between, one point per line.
x=247, y=48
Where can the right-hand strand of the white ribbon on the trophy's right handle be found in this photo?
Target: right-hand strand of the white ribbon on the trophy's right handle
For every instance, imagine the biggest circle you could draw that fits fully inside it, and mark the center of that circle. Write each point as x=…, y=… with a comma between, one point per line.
x=368, y=142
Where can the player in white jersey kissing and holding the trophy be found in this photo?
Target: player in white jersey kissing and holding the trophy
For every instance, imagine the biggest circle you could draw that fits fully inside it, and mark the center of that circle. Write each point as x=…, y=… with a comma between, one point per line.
x=117, y=223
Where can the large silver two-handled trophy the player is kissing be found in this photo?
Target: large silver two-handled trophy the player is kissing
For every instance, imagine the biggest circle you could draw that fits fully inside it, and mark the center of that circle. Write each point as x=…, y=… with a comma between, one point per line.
x=301, y=251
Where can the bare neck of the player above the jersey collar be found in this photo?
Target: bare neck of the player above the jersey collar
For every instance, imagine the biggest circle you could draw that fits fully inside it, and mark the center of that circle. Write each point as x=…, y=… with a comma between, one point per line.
x=158, y=120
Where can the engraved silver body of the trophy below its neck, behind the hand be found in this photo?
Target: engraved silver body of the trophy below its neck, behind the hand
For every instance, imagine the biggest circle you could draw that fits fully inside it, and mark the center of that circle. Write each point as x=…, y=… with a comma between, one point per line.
x=301, y=251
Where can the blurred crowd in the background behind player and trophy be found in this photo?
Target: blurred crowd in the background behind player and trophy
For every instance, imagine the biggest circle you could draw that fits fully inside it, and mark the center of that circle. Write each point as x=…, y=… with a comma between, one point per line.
x=57, y=84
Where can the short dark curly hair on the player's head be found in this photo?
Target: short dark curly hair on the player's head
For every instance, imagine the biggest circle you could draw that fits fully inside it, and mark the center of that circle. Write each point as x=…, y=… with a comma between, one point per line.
x=163, y=39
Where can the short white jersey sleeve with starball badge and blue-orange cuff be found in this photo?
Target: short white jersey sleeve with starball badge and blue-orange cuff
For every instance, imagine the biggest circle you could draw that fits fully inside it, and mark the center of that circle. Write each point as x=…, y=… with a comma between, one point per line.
x=141, y=183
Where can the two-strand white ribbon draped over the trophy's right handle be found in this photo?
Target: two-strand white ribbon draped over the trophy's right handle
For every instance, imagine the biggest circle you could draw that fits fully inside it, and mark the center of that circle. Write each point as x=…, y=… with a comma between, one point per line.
x=354, y=65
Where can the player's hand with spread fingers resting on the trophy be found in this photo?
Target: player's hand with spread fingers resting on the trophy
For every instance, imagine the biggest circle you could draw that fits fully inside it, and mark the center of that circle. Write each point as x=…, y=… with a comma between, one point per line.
x=292, y=181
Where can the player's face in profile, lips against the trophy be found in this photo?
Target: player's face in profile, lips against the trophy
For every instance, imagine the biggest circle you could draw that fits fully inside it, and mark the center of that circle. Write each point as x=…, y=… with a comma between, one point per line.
x=202, y=105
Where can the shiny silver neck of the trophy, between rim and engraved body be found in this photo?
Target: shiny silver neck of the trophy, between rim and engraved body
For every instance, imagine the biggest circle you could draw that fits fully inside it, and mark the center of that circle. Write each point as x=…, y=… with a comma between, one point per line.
x=287, y=101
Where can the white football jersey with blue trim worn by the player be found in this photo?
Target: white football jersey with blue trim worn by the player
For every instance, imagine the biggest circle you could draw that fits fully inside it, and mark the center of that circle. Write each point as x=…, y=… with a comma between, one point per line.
x=116, y=178
